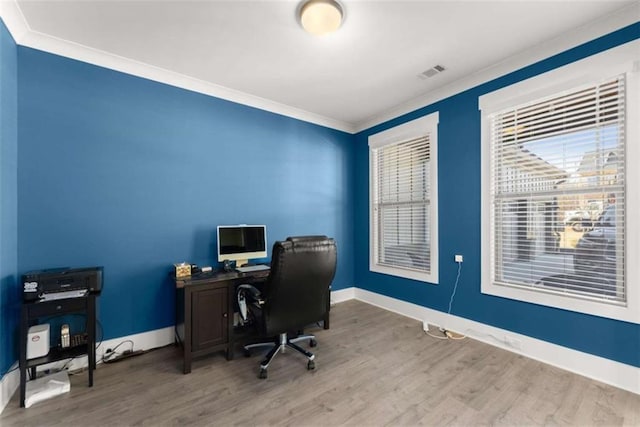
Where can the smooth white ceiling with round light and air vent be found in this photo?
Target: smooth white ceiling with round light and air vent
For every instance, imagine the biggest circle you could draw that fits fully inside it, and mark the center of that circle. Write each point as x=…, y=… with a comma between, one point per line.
x=362, y=73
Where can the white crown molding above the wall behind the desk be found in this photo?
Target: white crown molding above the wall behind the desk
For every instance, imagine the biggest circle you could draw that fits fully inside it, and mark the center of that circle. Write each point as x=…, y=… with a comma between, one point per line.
x=24, y=36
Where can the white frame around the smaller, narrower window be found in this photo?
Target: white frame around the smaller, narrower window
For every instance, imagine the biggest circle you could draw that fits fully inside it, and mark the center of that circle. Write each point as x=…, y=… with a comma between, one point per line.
x=427, y=125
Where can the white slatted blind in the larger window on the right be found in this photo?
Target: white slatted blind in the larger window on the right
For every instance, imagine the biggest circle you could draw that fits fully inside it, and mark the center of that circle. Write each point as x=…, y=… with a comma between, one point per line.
x=557, y=176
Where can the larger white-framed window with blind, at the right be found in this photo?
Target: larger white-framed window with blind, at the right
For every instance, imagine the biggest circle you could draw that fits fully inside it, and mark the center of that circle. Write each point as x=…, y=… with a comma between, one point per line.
x=556, y=211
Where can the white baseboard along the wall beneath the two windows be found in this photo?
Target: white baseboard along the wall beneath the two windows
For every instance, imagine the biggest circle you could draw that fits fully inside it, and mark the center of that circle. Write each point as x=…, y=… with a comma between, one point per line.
x=614, y=373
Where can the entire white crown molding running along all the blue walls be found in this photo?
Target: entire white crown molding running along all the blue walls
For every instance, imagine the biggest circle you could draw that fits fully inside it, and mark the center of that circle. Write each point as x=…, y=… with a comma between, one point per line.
x=24, y=36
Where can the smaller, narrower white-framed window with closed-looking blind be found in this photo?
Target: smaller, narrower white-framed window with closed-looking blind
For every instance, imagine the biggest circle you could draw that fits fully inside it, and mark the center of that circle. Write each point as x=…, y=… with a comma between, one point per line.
x=404, y=209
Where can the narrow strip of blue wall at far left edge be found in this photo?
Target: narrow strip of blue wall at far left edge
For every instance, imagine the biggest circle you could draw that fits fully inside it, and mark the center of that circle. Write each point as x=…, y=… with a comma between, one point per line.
x=8, y=199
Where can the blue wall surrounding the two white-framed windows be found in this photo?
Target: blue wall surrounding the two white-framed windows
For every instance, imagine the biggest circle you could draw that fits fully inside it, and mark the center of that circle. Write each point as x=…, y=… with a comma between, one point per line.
x=459, y=228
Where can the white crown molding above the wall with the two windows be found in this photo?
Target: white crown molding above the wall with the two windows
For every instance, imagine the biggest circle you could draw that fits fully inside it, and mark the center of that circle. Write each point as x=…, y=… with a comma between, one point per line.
x=615, y=21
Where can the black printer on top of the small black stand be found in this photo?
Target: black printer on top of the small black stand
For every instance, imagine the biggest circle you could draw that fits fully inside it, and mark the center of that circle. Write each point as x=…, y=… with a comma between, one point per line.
x=47, y=284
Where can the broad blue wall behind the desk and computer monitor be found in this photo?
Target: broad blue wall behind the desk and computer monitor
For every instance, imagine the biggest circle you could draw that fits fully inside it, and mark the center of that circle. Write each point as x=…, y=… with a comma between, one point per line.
x=134, y=175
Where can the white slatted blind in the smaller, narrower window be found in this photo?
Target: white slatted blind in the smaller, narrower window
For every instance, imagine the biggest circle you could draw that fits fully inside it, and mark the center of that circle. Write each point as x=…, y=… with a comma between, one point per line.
x=401, y=204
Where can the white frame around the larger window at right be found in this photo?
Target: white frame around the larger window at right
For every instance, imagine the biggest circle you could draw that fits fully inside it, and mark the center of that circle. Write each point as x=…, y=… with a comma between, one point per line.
x=623, y=59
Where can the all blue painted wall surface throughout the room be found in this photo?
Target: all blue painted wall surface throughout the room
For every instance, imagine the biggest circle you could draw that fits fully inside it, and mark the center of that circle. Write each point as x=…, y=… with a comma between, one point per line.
x=134, y=175
